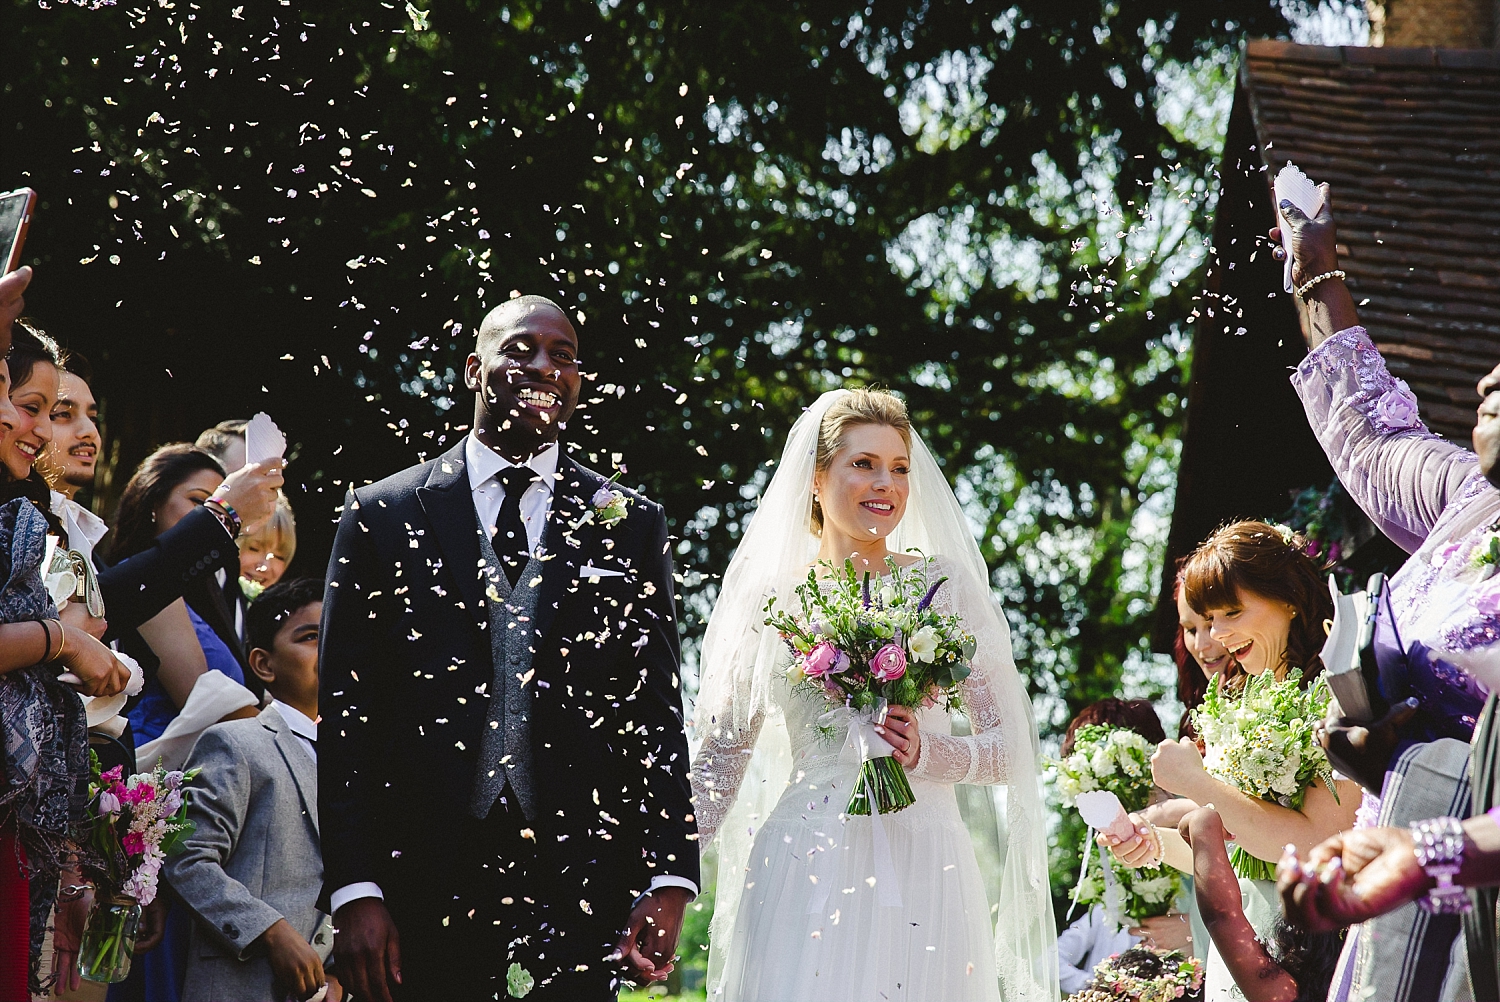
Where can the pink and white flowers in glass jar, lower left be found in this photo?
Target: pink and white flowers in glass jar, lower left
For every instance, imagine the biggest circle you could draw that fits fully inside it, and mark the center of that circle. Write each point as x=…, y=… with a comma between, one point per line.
x=134, y=824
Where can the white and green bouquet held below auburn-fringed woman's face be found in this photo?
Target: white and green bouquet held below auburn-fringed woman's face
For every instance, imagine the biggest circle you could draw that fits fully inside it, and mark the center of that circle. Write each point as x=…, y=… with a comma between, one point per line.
x=1262, y=745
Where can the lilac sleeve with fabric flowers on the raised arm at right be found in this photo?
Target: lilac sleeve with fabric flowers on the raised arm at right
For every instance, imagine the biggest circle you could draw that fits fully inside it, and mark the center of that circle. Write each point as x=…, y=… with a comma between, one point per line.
x=1367, y=421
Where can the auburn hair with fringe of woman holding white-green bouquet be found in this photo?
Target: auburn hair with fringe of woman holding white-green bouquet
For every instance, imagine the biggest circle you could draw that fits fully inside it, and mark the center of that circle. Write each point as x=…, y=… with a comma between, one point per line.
x=1268, y=562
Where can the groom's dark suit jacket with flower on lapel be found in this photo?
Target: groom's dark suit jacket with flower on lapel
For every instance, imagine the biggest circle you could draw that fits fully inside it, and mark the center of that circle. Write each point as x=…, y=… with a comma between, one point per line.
x=407, y=674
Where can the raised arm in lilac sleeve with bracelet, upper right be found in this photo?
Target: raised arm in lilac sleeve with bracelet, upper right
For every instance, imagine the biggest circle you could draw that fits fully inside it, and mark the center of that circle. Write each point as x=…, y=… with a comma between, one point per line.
x=1400, y=473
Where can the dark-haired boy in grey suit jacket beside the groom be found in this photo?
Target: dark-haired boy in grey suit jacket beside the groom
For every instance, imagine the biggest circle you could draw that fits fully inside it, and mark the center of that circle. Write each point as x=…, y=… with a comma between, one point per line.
x=253, y=869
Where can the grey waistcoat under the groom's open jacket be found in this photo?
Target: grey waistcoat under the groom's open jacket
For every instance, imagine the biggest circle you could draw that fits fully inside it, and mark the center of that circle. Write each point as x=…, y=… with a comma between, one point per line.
x=505, y=752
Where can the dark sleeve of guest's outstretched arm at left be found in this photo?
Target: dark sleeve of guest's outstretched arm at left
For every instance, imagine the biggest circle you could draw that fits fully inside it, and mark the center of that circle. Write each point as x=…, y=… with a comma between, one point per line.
x=179, y=562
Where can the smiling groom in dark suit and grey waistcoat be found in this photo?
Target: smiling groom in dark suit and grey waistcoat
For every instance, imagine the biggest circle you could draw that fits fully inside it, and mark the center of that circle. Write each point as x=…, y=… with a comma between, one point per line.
x=503, y=776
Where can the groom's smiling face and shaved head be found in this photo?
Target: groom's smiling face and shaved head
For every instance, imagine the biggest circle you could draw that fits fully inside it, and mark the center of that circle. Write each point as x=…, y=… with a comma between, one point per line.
x=524, y=371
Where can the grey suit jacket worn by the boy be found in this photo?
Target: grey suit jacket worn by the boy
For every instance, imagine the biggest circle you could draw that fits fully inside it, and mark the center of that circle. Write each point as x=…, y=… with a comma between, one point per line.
x=254, y=857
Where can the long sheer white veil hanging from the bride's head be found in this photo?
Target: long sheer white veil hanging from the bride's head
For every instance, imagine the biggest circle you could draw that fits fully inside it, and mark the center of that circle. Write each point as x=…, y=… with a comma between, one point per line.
x=740, y=665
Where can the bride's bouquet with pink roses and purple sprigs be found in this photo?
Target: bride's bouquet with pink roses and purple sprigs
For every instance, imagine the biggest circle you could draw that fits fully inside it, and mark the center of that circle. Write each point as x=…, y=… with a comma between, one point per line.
x=862, y=647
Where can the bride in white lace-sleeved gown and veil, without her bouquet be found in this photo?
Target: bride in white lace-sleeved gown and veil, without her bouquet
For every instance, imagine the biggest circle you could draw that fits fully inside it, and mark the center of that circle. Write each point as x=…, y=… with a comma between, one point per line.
x=947, y=901
